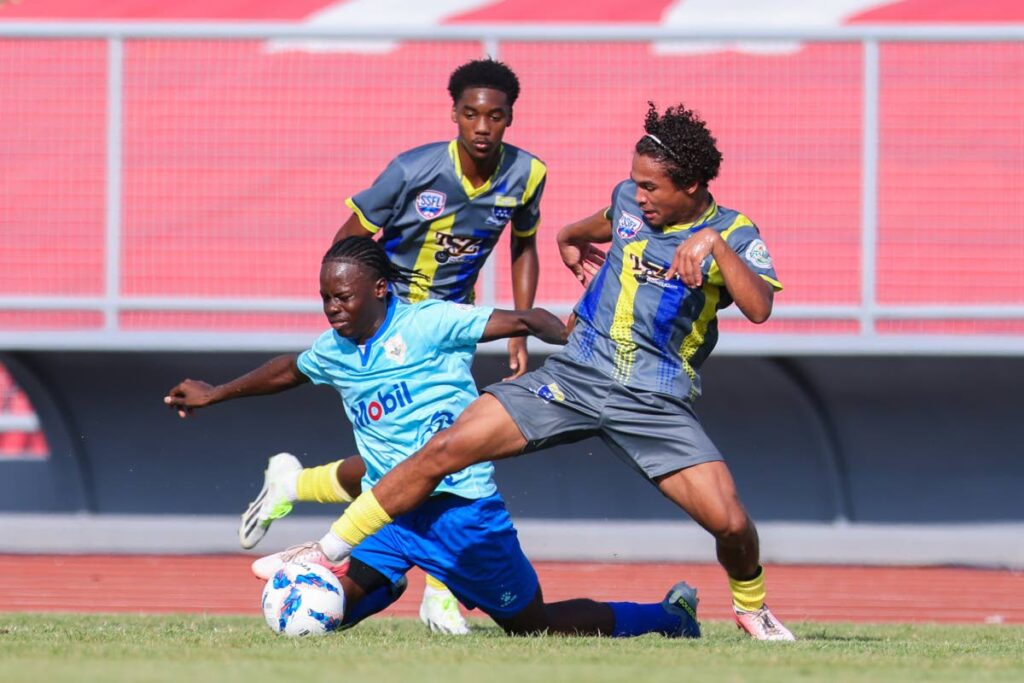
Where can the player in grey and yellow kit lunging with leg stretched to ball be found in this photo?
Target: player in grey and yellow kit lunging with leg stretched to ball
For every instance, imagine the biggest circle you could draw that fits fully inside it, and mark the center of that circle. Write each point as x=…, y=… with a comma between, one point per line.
x=630, y=372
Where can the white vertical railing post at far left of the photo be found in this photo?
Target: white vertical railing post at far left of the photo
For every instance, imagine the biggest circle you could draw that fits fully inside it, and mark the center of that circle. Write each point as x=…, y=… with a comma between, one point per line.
x=115, y=112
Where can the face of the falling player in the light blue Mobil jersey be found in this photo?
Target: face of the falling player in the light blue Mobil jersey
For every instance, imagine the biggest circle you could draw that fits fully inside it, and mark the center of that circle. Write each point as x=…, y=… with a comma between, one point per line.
x=355, y=303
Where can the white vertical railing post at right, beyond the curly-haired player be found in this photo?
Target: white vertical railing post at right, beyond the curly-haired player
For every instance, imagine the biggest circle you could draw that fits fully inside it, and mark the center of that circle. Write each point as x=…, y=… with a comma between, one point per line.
x=870, y=190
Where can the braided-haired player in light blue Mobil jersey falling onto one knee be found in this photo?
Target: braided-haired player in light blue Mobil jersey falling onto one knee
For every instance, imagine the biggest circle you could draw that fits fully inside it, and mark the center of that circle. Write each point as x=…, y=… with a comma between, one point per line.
x=404, y=375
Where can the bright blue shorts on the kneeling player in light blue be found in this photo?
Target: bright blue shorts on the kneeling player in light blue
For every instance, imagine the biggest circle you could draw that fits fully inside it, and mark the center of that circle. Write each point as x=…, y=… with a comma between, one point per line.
x=470, y=545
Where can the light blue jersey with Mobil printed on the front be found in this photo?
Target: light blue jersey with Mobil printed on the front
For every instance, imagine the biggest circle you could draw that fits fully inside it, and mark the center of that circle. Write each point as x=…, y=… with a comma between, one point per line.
x=406, y=385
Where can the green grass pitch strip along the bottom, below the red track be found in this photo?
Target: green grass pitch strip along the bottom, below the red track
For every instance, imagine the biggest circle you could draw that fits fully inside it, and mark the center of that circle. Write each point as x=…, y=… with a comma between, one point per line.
x=37, y=649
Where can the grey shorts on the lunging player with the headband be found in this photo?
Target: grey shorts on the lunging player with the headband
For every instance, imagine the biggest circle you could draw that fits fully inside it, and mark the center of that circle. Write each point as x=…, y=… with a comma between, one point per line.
x=564, y=402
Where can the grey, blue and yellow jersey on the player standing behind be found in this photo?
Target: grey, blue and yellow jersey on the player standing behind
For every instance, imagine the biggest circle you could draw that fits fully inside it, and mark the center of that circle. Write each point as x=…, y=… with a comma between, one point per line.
x=436, y=223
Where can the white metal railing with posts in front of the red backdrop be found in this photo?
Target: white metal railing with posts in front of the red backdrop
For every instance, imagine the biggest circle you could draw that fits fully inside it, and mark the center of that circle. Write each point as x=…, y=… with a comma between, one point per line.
x=867, y=313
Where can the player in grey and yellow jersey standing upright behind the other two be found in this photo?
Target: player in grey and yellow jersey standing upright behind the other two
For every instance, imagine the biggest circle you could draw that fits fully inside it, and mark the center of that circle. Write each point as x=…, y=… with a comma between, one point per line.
x=440, y=210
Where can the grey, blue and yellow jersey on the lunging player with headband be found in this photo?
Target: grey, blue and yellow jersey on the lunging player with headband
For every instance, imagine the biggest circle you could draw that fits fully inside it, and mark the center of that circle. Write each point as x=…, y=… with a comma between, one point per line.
x=648, y=332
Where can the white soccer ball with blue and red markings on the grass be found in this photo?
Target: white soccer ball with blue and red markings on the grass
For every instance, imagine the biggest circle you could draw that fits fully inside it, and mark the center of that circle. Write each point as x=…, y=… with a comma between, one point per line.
x=304, y=601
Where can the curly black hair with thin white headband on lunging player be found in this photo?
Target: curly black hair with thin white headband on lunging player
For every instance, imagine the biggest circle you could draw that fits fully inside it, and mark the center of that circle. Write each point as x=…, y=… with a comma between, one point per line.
x=680, y=140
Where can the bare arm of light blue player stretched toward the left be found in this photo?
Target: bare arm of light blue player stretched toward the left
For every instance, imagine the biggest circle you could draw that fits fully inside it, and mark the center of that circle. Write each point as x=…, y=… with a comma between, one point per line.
x=276, y=375
